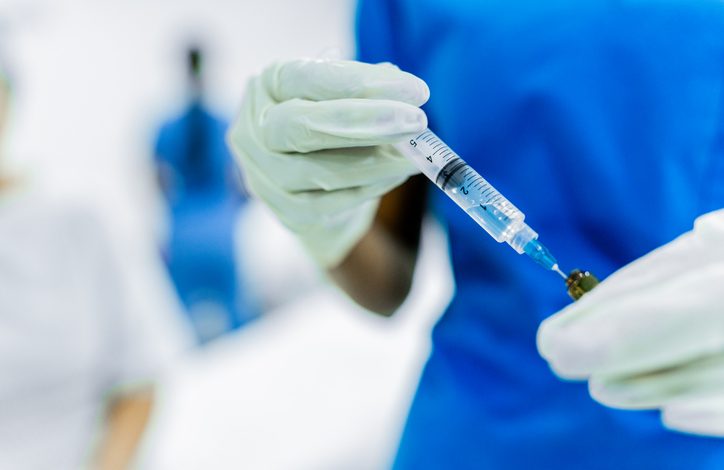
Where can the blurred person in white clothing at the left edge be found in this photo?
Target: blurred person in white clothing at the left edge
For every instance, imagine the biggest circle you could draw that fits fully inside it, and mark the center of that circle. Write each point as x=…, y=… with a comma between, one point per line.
x=86, y=324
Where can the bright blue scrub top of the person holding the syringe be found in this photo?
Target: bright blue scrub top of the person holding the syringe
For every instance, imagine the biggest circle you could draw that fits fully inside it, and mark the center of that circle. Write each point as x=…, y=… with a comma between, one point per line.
x=604, y=122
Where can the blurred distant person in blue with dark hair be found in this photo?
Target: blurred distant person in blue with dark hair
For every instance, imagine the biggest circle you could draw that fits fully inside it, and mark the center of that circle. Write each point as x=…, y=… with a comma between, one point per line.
x=202, y=187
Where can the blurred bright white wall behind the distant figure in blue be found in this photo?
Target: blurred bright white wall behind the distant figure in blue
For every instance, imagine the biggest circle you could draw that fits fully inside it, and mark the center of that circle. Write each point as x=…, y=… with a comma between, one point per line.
x=94, y=78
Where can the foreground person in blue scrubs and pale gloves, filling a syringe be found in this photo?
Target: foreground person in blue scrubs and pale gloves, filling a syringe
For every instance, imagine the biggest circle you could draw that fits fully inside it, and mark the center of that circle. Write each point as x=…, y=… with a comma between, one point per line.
x=612, y=109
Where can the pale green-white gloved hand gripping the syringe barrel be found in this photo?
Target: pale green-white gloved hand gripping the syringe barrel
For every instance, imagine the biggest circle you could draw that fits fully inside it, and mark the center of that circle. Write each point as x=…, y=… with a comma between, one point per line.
x=314, y=142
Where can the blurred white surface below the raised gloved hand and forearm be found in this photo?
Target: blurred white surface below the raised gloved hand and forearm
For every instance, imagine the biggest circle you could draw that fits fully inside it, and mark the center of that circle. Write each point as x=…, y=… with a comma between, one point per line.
x=318, y=384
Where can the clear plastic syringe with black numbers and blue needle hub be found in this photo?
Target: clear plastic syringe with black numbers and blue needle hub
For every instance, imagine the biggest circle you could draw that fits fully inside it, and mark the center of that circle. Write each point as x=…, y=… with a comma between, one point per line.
x=501, y=219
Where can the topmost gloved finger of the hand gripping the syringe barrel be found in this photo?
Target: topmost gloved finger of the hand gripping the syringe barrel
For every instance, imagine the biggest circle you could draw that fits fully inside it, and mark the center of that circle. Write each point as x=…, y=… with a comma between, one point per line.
x=321, y=80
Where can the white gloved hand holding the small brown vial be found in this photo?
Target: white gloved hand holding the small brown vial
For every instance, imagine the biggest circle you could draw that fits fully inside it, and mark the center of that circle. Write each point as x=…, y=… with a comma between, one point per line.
x=652, y=335
